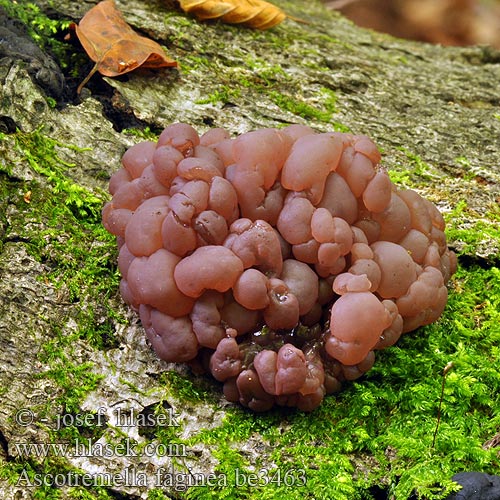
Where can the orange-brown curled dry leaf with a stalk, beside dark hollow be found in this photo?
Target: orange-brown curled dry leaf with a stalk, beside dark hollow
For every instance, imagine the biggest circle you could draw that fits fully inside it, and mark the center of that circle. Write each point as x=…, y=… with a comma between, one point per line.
x=114, y=46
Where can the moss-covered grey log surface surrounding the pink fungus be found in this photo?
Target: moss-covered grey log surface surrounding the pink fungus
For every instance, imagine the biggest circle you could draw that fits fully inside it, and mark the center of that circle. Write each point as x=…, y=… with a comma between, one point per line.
x=74, y=365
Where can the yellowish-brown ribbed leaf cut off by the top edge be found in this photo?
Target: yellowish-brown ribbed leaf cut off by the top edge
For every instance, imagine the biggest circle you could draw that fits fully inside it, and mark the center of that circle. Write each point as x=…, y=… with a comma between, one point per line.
x=252, y=13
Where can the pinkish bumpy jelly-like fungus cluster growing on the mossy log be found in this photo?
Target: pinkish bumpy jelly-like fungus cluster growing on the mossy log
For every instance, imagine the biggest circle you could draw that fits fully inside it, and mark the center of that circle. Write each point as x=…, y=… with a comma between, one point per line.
x=278, y=260
